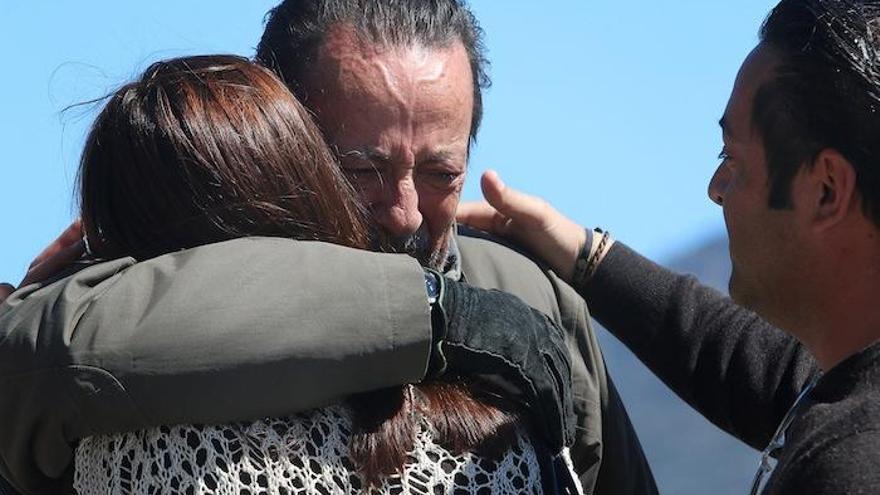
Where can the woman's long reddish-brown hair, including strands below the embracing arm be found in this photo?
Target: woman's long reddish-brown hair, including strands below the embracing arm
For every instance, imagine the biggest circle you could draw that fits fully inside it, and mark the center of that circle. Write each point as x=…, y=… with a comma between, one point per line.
x=209, y=148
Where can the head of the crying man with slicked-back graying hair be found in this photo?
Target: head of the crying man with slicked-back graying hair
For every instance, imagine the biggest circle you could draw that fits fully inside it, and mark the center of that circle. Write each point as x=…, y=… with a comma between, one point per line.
x=396, y=86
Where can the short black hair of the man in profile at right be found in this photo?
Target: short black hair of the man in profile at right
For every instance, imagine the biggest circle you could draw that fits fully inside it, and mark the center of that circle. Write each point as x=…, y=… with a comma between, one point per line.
x=825, y=93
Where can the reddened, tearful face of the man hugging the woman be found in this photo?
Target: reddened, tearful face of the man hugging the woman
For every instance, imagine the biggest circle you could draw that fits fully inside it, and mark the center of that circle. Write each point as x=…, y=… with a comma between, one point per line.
x=399, y=119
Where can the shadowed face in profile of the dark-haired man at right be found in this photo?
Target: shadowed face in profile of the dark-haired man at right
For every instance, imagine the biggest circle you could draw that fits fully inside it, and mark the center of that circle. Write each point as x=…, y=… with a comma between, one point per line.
x=763, y=241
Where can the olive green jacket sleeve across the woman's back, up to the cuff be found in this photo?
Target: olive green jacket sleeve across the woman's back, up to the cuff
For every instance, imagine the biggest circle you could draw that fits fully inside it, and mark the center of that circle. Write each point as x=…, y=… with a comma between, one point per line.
x=230, y=331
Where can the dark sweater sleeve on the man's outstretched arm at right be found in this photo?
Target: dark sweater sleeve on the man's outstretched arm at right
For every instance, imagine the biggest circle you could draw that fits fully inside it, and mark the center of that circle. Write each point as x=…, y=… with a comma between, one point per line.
x=736, y=369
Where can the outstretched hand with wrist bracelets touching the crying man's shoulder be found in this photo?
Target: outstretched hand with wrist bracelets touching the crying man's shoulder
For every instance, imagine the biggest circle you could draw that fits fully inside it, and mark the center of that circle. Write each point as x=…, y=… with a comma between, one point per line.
x=527, y=220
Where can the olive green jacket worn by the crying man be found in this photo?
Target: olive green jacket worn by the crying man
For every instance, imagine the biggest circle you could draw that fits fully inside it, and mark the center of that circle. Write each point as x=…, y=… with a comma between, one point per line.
x=252, y=328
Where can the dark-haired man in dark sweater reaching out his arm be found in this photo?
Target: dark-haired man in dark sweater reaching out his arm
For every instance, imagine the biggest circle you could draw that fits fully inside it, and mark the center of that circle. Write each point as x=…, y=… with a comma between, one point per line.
x=799, y=184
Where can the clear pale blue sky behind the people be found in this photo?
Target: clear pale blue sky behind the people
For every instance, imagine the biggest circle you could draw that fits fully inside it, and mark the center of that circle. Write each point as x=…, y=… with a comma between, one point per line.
x=608, y=109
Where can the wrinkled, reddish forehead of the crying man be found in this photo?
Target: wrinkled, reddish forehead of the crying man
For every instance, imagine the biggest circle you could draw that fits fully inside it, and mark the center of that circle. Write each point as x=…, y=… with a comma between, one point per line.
x=355, y=79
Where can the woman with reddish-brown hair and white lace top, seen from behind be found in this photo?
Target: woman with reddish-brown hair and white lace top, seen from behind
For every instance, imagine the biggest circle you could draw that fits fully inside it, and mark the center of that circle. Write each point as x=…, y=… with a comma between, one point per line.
x=207, y=149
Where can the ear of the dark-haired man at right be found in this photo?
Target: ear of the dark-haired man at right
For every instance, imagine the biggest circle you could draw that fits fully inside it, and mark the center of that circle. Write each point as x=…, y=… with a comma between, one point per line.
x=830, y=190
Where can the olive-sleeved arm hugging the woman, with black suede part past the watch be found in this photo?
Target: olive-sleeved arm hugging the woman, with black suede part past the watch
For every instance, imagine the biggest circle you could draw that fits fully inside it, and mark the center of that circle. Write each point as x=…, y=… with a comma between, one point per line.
x=245, y=329
